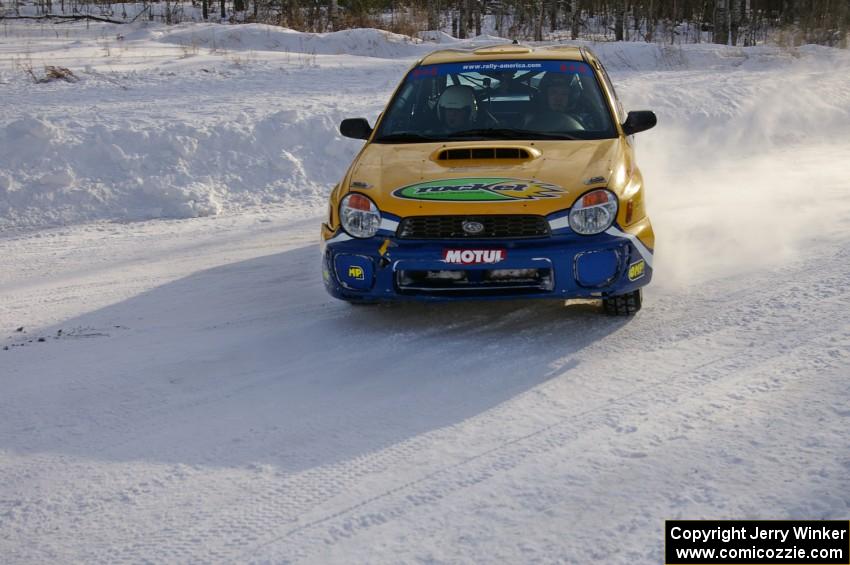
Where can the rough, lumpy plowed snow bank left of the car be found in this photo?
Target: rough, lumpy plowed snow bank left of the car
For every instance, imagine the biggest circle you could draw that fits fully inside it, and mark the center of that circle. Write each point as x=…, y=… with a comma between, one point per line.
x=64, y=171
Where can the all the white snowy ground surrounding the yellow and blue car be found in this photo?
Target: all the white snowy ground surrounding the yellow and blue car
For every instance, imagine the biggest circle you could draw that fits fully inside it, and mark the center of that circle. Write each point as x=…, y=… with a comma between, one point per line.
x=197, y=396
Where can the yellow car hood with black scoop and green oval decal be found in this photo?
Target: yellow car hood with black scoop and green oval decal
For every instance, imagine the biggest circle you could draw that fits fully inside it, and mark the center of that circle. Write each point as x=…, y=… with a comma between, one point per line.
x=483, y=177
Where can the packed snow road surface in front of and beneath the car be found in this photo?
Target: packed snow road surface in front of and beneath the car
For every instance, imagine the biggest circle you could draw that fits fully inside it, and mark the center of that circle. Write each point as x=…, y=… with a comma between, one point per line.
x=210, y=403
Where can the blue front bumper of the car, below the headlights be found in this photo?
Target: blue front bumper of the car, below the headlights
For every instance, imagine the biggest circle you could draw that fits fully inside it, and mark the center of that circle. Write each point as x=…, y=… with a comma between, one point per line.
x=560, y=266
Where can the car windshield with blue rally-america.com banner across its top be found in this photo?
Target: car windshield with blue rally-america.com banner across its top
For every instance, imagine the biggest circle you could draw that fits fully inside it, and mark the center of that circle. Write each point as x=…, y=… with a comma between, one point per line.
x=497, y=100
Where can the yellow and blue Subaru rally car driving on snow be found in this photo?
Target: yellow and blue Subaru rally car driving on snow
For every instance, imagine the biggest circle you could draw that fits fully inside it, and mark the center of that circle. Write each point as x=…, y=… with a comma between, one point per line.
x=500, y=172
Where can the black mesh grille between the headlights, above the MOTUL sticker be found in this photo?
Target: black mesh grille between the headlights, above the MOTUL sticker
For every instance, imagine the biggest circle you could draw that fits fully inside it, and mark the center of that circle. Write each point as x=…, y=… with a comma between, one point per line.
x=451, y=227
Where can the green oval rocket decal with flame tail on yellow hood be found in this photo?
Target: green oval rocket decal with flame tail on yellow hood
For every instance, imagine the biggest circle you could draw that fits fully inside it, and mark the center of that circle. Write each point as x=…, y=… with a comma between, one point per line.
x=479, y=190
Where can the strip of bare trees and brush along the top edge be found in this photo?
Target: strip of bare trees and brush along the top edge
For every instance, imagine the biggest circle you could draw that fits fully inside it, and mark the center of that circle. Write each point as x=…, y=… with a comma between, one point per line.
x=734, y=22
